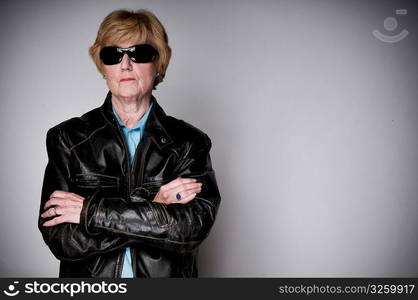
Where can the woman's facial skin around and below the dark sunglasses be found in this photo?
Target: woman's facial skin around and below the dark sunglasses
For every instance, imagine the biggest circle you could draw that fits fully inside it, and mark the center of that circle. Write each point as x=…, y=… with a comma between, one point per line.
x=128, y=79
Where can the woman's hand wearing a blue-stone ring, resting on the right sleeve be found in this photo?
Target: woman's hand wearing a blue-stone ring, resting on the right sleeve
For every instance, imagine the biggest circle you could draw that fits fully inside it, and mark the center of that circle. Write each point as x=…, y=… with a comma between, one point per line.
x=187, y=188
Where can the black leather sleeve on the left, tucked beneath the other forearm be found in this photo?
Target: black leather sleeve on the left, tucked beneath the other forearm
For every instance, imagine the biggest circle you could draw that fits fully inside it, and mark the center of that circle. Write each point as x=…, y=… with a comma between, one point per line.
x=69, y=241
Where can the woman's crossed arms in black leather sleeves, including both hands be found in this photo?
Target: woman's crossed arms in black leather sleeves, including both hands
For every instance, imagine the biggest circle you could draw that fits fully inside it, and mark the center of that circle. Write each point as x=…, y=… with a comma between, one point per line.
x=75, y=227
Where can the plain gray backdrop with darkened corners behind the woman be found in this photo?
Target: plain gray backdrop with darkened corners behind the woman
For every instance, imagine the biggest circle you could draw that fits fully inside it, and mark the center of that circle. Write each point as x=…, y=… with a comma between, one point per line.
x=313, y=122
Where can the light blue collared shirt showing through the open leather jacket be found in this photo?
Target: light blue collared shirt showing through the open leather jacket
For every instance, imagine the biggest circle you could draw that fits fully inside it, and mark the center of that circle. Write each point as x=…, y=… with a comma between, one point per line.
x=132, y=137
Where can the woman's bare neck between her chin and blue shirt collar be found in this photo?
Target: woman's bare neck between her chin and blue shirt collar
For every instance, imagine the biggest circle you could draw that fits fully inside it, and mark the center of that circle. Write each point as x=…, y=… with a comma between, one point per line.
x=130, y=110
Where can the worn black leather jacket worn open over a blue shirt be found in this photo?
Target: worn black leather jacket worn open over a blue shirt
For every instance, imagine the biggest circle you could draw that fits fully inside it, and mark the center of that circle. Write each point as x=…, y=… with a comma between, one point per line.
x=89, y=156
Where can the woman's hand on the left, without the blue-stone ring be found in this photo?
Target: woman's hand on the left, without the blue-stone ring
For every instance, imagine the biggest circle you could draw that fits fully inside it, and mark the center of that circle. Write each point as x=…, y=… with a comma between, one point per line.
x=64, y=206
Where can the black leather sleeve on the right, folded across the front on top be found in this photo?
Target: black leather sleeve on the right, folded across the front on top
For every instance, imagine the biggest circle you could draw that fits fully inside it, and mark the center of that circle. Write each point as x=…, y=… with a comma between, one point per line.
x=174, y=227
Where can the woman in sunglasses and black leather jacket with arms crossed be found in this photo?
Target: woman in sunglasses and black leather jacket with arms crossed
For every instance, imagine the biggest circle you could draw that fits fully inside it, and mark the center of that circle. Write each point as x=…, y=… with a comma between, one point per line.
x=128, y=191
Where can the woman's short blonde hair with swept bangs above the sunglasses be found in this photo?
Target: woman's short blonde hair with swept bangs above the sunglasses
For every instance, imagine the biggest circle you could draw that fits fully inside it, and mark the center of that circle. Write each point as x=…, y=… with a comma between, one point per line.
x=140, y=26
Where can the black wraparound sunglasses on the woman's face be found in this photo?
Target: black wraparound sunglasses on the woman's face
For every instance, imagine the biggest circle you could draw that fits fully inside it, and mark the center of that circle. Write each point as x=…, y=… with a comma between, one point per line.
x=142, y=53
